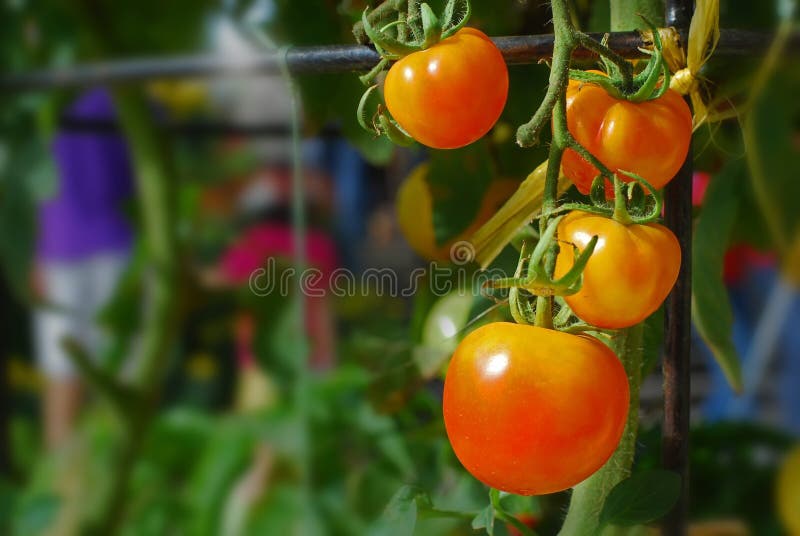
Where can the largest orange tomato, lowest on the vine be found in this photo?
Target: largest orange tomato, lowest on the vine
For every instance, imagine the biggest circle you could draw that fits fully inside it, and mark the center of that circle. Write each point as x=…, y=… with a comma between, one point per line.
x=532, y=411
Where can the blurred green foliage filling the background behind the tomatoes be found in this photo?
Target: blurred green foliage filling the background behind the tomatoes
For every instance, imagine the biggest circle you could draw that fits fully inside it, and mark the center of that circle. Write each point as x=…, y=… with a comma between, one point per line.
x=375, y=422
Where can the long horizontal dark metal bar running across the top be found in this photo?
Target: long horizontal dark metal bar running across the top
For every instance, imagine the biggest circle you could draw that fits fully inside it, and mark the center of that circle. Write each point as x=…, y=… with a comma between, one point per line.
x=326, y=59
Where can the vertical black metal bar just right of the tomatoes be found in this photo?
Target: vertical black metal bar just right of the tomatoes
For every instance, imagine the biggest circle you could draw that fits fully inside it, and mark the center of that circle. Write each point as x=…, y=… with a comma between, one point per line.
x=677, y=362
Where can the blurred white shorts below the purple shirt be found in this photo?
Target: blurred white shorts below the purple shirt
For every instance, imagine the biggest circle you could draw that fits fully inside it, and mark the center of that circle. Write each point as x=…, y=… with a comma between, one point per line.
x=75, y=292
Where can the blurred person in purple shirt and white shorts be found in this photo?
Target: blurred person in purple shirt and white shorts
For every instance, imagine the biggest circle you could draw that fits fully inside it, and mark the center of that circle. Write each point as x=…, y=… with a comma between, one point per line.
x=84, y=243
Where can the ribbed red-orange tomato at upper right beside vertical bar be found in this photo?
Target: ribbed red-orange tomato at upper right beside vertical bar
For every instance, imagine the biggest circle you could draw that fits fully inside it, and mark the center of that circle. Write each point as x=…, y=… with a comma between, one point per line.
x=649, y=138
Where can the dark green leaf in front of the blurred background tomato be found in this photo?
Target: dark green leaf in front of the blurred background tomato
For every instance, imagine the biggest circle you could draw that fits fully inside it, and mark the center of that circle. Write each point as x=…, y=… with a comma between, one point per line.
x=458, y=180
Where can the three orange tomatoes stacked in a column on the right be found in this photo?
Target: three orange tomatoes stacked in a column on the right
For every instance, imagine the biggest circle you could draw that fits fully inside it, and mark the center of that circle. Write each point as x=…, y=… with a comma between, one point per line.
x=530, y=410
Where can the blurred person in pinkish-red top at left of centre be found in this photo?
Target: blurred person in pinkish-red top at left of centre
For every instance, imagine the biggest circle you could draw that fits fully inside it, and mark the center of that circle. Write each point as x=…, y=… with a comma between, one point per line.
x=260, y=204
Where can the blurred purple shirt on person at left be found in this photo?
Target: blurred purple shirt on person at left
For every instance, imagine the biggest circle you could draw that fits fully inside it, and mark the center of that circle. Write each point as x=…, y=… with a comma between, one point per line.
x=85, y=216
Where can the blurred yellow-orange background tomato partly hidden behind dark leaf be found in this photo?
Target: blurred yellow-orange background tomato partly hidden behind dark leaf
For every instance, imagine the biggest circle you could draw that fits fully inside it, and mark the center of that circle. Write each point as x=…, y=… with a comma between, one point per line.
x=414, y=206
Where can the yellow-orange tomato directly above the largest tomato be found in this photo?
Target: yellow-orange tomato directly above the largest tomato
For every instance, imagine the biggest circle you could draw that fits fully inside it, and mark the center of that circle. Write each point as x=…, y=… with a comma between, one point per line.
x=630, y=273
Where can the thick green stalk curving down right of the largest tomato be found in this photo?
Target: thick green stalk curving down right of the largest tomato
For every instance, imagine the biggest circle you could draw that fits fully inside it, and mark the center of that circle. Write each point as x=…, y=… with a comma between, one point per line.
x=589, y=496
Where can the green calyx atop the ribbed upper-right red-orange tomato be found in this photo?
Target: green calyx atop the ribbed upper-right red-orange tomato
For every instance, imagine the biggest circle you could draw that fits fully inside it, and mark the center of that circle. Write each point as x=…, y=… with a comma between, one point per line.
x=649, y=84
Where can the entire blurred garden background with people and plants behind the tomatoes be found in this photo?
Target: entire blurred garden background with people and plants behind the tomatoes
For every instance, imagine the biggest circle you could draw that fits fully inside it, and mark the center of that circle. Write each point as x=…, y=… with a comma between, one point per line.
x=158, y=376
